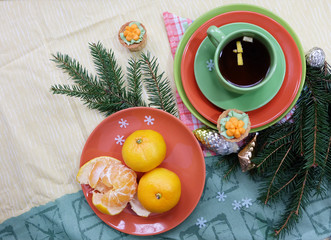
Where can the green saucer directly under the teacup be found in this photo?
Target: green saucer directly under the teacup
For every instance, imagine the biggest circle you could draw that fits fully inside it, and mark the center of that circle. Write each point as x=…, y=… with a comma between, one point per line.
x=213, y=90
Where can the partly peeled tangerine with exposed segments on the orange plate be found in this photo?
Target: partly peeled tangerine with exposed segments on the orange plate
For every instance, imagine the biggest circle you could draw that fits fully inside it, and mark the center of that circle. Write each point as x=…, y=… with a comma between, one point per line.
x=114, y=184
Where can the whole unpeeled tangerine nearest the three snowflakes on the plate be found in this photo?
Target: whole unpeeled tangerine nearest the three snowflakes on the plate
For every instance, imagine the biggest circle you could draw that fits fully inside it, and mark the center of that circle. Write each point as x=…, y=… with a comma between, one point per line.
x=144, y=150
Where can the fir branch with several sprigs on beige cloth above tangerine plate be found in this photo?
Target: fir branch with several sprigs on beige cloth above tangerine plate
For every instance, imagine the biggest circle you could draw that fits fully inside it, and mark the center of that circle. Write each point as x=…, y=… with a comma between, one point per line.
x=108, y=92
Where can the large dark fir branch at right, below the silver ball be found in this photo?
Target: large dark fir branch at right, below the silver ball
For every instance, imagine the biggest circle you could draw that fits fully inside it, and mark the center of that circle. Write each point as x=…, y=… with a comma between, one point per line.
x=293, y=161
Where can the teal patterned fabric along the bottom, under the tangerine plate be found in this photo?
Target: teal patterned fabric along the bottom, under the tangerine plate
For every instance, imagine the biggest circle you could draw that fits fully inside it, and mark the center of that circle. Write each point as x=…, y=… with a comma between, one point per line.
x=227, y=210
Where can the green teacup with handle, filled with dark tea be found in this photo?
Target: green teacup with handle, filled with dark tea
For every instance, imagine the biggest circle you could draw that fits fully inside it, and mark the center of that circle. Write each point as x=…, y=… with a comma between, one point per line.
x=245, y=59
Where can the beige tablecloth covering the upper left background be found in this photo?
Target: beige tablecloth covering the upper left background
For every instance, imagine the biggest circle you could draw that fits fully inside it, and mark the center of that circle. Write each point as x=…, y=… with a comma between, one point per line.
x=42, y=135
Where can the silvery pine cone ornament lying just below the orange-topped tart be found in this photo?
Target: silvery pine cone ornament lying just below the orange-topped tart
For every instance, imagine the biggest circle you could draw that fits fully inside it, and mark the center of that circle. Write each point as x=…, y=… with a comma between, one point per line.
x=211, y=139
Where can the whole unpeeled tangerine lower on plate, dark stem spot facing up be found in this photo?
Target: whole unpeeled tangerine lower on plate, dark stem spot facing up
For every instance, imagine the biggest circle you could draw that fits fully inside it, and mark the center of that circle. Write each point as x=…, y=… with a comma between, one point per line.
x=159, y=190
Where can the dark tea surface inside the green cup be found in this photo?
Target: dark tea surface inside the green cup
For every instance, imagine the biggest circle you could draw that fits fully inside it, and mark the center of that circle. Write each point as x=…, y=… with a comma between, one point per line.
x=256, y=63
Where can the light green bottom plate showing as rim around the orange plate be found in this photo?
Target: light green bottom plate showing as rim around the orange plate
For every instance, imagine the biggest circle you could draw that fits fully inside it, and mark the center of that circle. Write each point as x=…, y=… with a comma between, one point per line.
x=205, y=17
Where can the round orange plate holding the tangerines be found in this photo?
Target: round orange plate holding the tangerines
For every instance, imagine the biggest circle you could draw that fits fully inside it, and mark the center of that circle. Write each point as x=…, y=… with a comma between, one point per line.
x=184, y=157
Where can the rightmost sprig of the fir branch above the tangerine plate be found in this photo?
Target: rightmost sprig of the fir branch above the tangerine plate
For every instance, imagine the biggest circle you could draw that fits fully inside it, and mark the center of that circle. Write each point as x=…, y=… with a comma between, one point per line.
x=158, y=88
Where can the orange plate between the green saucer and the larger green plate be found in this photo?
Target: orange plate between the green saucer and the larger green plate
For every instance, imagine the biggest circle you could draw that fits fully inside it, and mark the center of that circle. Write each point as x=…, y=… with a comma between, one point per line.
x=285, y=96
